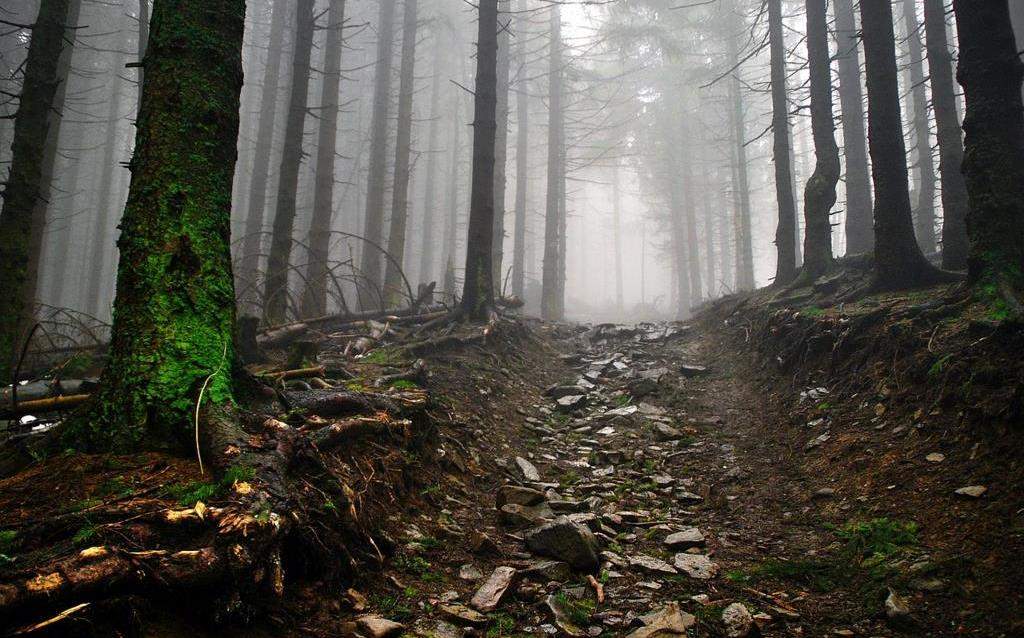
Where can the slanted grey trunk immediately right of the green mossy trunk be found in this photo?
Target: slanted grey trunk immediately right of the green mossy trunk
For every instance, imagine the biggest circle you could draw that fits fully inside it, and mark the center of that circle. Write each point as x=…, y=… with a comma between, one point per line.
x=252, y=242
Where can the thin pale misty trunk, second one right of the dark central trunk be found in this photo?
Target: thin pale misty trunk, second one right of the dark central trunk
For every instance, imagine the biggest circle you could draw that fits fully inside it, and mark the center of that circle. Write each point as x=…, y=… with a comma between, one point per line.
x=522, y=171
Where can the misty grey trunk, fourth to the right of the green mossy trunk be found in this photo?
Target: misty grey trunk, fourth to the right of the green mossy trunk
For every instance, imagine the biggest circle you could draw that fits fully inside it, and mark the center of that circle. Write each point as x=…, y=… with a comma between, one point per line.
x=373, y=227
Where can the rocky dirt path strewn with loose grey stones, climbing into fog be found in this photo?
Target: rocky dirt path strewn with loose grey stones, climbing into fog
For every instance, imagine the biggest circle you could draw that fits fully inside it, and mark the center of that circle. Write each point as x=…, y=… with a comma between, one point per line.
x=637, y=498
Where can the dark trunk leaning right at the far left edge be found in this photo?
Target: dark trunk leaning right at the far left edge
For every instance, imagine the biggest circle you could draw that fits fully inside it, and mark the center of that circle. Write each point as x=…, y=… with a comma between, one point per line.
x=32, y=124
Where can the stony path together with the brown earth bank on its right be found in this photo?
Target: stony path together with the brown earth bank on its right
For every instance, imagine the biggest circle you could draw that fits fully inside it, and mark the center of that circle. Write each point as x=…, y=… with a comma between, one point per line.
x=699, y=485
